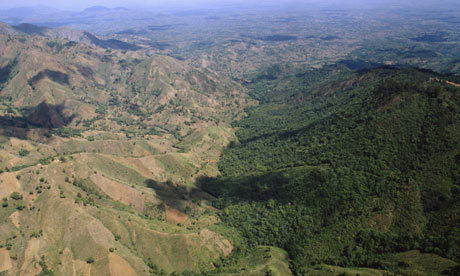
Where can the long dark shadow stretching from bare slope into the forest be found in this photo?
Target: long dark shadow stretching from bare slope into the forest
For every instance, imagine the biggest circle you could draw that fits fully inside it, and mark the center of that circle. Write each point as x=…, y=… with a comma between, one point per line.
x=269, y=186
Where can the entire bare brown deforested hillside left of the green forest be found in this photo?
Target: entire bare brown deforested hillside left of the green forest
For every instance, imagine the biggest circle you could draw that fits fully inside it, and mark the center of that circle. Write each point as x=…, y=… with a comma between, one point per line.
x=99, y=150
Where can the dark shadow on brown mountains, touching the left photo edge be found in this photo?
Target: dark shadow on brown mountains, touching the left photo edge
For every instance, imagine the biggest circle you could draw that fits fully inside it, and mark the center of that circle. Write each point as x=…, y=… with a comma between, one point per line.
x=42, y=116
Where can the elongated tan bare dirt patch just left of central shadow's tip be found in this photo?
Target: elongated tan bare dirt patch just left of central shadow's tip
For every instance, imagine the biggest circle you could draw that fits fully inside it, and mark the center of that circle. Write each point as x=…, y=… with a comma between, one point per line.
x=120, y=192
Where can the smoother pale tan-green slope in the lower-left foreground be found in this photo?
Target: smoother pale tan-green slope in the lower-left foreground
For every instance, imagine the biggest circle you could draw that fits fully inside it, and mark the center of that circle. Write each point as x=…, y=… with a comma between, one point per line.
x=76, y=216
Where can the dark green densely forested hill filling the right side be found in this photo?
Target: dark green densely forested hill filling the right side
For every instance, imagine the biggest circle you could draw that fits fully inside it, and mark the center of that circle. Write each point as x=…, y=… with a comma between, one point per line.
x=348, y=174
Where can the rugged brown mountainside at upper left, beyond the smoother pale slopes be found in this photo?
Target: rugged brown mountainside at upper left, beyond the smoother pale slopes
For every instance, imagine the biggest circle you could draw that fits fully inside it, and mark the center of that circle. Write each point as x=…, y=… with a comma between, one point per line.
x=110, y=90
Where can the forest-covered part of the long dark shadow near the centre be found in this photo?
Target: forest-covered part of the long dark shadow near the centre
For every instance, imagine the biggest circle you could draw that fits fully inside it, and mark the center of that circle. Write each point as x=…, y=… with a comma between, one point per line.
x=297, y=186
